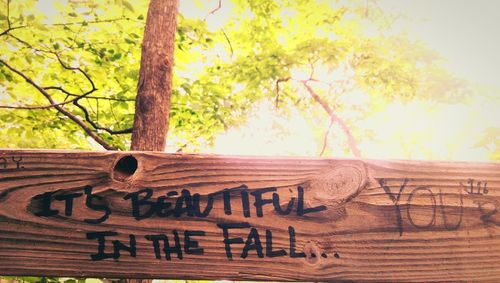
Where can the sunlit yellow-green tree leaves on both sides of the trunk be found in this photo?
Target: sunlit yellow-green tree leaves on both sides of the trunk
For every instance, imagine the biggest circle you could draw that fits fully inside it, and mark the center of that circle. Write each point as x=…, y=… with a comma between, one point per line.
x=219, y=73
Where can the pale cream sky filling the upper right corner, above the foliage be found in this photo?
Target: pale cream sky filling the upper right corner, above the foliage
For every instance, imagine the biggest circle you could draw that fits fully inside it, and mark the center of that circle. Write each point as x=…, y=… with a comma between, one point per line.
x=465, y=32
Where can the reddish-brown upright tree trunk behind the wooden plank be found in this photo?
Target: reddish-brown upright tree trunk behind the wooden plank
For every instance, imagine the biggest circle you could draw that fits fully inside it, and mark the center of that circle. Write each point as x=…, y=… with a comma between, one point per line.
x=152, y=107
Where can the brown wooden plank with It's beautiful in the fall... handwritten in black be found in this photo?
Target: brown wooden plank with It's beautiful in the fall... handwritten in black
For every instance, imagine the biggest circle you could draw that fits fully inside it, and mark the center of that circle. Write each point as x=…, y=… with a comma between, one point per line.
x=359, y=220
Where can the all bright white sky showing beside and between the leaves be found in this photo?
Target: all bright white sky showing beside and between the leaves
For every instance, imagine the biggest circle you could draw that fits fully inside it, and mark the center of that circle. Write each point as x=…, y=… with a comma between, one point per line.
x=465, y=33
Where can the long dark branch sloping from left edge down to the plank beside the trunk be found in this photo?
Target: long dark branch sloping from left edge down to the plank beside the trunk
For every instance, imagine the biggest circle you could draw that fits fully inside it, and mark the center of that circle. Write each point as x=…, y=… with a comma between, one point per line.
x=63, y=111
